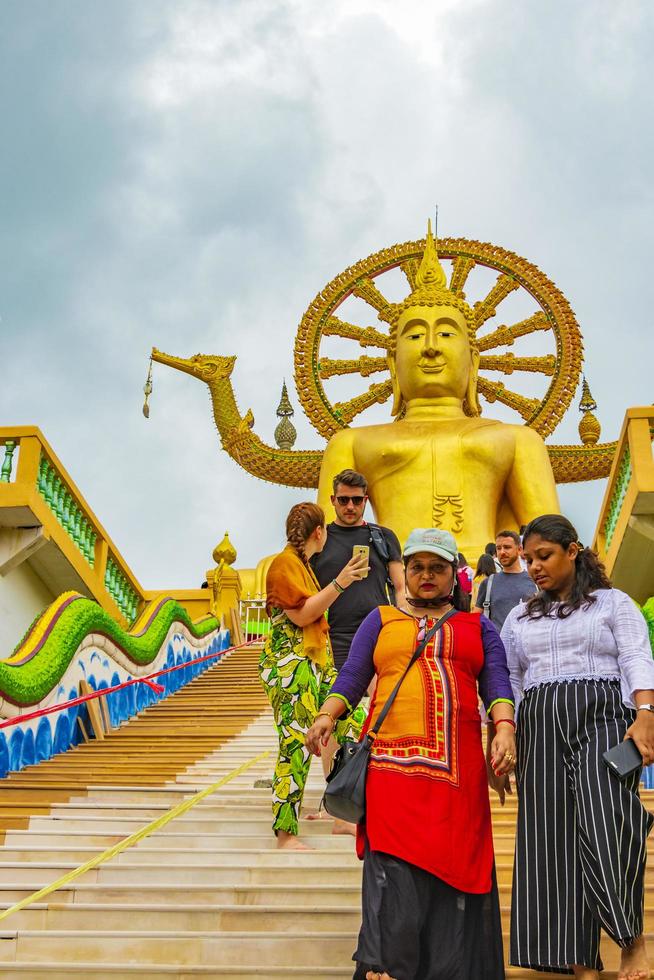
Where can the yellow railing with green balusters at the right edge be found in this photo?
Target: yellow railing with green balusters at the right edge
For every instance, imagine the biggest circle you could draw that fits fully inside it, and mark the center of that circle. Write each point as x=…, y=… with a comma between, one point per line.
x=624, y=538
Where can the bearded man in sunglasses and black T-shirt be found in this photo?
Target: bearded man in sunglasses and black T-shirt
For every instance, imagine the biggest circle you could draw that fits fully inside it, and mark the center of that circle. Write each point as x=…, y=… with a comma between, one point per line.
x=385, y=562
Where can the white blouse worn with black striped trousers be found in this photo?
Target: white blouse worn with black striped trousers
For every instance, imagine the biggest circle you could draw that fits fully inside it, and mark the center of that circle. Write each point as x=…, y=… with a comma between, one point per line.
x=607, y=641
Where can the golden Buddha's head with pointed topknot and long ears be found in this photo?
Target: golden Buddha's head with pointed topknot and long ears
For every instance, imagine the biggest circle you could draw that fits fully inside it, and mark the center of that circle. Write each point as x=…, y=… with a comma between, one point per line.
x=433, y=354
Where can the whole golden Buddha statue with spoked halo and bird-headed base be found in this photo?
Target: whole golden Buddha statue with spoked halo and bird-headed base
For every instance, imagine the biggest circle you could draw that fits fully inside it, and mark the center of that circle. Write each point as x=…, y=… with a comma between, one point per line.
x=439, y=463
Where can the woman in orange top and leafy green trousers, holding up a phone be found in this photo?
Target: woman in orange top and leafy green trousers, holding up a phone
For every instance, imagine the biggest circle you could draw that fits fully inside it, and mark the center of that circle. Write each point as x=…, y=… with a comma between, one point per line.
x=296, y=666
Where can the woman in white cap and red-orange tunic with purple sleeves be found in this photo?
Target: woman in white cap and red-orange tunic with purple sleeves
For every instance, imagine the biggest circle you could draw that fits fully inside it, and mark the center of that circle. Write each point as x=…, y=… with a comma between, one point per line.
x=430, y=908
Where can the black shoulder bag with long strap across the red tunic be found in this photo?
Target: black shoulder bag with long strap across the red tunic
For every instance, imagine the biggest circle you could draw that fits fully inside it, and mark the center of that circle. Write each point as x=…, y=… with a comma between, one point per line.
x=345, y=793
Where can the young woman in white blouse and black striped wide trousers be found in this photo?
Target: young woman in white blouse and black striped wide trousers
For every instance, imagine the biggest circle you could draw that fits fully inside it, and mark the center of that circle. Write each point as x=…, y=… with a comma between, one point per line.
x=581, y=667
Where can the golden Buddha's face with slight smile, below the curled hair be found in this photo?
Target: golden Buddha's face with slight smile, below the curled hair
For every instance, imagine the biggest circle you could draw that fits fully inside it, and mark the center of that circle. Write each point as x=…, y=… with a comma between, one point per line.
x=432, y=353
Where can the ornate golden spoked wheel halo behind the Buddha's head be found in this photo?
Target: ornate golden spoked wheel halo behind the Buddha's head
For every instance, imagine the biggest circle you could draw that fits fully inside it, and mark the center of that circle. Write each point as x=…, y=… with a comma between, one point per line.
x=550, y=313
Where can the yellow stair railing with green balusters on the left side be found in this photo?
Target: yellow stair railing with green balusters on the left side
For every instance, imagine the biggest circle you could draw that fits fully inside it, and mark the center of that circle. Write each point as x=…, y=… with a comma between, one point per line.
x=36, y=490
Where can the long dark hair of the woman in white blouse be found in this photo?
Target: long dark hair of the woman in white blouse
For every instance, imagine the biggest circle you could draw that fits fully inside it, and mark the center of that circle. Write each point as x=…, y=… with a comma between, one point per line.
x=589, y=571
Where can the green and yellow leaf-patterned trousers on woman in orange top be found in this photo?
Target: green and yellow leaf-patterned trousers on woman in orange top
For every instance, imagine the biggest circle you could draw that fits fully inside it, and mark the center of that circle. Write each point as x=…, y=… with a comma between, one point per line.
x=296, y=688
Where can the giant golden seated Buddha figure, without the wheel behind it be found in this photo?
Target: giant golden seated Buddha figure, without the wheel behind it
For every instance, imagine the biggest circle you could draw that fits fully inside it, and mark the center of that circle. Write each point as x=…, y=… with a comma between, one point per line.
x=439, y=464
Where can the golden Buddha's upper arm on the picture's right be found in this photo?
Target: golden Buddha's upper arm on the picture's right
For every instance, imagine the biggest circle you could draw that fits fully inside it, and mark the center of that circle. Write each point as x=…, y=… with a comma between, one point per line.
x=531, y=488
